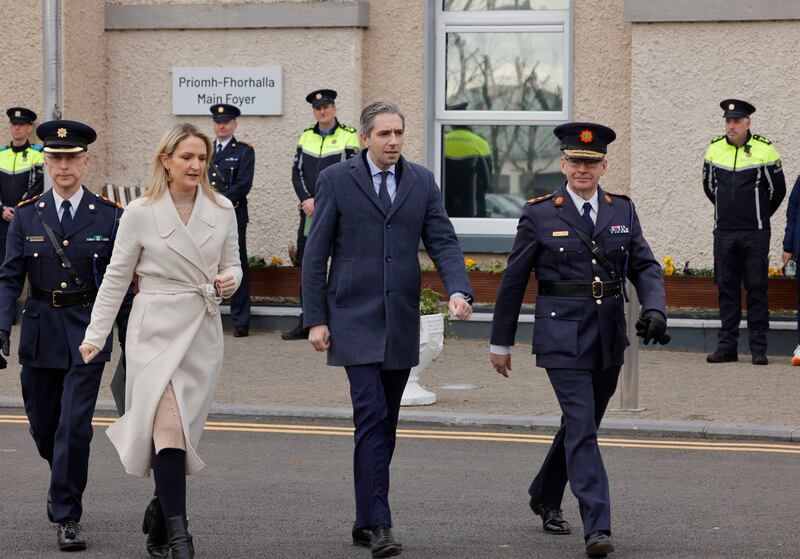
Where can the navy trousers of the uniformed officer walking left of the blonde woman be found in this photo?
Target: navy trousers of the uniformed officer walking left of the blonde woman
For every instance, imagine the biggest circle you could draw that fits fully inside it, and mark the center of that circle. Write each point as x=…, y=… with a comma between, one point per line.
x=60, y=404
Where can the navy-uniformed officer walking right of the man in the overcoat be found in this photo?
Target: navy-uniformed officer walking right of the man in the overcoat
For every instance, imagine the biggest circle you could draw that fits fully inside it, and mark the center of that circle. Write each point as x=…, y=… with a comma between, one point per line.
x=582, y=242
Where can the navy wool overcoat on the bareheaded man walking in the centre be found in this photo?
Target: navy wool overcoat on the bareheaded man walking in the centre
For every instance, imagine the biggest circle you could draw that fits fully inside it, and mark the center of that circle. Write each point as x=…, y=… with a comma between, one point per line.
x=370, y=297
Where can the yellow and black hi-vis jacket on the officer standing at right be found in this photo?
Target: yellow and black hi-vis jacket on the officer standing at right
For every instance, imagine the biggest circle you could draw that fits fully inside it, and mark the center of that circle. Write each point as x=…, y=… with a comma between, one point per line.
x=746, y=184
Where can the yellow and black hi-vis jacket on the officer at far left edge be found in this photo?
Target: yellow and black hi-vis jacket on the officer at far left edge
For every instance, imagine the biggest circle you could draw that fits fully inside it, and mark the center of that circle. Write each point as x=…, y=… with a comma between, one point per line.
x=21, y=173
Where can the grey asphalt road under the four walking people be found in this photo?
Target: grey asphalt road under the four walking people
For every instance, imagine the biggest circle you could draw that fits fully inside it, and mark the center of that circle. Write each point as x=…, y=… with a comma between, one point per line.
x=282, y=488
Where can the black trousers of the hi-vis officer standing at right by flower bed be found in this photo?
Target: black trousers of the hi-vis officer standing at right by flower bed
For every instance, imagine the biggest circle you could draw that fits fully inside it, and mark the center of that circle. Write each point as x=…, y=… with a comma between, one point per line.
x=742, y=256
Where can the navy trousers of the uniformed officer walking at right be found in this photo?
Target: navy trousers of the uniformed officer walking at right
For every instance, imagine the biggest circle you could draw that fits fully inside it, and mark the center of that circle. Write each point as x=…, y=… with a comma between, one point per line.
x=574, y=455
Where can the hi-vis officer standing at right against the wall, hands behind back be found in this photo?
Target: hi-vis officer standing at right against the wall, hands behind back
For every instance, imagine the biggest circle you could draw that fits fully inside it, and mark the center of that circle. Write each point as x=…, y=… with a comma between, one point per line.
x=743, y=178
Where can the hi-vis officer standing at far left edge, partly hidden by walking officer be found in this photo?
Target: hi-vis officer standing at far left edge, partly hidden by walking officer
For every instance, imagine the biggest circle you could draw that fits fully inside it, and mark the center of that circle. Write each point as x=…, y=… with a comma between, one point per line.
x=21, y=169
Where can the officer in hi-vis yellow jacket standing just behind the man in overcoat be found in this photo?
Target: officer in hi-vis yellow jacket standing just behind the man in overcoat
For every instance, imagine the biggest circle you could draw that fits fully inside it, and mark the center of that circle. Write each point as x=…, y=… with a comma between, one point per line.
x=322, y=144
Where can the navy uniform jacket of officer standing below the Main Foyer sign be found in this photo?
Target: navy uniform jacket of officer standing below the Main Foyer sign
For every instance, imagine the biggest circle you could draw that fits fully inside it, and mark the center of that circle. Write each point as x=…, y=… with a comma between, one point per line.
x=231, y=174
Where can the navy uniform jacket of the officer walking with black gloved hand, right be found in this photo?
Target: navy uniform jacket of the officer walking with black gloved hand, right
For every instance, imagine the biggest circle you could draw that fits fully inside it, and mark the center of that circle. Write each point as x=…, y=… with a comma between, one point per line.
x=567, y=330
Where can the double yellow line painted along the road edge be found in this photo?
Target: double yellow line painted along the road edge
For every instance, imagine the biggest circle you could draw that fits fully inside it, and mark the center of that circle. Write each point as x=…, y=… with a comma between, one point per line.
x=488, y=436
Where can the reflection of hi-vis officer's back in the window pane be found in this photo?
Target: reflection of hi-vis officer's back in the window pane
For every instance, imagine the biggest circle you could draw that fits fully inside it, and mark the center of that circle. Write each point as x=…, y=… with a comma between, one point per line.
x=467, y=170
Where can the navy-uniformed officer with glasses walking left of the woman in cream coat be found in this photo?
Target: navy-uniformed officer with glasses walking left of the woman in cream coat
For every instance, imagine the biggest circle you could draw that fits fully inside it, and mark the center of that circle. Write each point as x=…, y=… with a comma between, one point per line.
x=61, y=242
